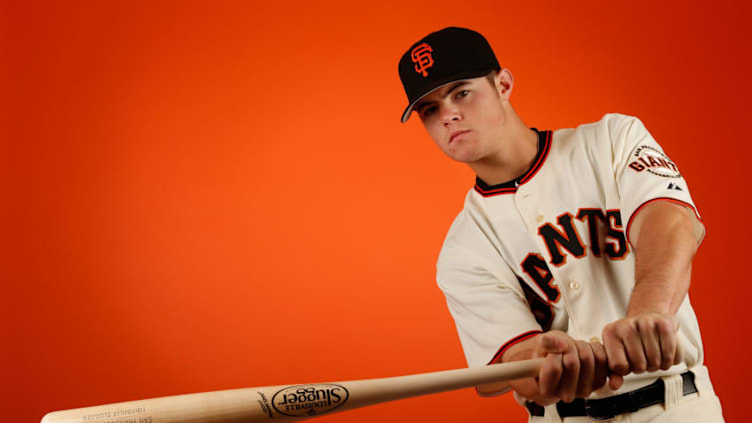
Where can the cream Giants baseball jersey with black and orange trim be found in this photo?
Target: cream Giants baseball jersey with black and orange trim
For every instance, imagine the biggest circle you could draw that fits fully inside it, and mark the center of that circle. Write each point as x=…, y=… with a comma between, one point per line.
x=550, y=250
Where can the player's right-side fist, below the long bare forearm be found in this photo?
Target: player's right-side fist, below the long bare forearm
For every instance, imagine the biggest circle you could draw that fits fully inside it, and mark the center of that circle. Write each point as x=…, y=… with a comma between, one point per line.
x=640, y=343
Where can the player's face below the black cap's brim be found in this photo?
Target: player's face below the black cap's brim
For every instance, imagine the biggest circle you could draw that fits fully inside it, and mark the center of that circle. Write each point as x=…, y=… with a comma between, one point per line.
x=464, y=118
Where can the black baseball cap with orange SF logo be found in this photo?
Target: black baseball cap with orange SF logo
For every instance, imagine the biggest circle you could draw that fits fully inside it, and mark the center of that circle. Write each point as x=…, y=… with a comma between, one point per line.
x=443, y=57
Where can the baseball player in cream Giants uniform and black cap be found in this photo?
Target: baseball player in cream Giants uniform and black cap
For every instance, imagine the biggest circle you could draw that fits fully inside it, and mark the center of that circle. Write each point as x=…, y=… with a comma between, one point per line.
x=575, y=245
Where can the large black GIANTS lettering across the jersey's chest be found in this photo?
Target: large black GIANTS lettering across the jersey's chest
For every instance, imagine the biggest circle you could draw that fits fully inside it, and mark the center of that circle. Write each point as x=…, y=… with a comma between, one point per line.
x=563, y=239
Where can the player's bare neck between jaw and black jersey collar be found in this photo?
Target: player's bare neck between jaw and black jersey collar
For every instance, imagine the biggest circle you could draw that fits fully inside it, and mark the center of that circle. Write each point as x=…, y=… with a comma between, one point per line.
x=513, y=158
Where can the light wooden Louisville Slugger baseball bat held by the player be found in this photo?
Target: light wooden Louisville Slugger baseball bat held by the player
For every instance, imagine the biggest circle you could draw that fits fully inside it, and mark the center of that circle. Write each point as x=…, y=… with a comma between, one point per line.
x=294, y=402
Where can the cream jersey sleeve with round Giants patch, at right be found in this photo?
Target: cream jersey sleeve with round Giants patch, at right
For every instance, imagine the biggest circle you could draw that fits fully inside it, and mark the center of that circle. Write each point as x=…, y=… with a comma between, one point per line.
x=644, y=172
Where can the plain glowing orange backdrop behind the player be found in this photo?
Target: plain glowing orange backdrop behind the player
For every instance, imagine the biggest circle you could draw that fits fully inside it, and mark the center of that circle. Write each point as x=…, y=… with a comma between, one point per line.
x=210, y=195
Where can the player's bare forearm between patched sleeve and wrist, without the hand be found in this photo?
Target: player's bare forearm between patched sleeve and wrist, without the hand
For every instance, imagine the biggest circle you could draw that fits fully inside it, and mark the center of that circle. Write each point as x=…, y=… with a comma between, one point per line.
x=664, y=245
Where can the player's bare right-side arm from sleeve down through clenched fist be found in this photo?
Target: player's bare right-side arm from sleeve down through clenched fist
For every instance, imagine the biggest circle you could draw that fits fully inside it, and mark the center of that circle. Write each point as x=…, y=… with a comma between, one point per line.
x=664, y=242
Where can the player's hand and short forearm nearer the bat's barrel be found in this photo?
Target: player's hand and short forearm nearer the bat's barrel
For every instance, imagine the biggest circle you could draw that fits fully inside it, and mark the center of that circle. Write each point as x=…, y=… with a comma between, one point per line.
x=573, y=369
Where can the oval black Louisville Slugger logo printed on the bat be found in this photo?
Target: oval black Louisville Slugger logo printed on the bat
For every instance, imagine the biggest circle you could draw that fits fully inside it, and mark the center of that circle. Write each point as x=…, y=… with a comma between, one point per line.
x=309, y=400
